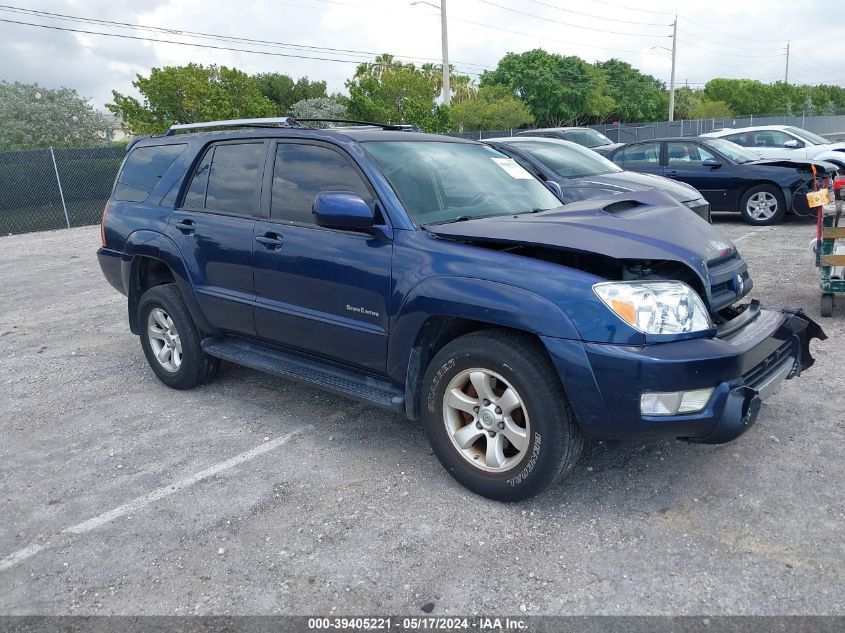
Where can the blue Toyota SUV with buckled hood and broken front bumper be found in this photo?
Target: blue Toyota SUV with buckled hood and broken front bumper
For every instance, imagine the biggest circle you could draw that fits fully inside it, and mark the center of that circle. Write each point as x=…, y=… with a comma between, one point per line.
x=436, y=277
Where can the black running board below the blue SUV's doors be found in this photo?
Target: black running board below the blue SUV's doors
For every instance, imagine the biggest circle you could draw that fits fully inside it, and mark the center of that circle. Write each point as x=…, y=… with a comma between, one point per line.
x=341, y=381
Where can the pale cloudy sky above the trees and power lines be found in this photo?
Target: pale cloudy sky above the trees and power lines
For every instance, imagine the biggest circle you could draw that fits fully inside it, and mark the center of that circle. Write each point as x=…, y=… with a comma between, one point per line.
x=716, y=38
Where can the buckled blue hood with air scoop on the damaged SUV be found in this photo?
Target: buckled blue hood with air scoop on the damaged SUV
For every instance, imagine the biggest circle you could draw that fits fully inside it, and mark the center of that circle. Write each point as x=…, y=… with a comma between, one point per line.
x=642, y=225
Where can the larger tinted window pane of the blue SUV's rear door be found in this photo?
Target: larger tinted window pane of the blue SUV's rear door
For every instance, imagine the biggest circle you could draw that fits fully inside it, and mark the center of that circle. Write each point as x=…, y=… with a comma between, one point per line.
x=235, y=177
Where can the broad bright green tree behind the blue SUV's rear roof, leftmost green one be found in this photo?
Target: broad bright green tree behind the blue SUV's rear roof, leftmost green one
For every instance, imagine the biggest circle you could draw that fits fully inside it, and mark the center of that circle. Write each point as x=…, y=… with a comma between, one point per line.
x=188, y=94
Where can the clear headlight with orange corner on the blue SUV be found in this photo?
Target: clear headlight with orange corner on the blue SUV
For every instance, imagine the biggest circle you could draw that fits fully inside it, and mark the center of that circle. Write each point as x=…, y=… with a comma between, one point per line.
x=655, y=307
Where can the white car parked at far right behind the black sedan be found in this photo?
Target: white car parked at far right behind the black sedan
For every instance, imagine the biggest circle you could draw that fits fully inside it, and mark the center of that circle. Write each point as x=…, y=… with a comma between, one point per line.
x=785, y=141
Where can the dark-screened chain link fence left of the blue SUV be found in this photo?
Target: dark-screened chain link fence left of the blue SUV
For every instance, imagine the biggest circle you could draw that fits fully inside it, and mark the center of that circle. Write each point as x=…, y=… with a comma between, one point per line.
x=55, y=188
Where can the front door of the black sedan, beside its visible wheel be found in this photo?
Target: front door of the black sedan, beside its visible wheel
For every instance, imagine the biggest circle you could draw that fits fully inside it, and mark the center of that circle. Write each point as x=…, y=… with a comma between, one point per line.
x=684, y=162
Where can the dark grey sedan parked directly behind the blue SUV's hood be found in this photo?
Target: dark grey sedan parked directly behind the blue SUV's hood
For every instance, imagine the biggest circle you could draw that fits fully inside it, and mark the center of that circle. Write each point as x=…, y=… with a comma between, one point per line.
x=581, y=174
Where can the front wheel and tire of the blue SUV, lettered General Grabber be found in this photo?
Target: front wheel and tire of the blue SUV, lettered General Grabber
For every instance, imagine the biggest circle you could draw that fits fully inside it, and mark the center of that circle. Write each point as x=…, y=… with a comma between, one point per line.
x=497, y=417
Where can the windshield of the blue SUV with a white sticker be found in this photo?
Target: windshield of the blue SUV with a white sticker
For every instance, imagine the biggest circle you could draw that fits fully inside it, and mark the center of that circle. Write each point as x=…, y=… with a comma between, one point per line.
x=443, y=182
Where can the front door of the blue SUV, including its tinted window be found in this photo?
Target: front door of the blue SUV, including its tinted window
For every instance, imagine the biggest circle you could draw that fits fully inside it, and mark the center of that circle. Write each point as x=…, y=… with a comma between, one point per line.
x=322, y=291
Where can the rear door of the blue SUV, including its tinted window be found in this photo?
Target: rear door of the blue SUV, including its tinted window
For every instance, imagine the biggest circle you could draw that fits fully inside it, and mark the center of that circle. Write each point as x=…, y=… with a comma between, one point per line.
x=213, y=228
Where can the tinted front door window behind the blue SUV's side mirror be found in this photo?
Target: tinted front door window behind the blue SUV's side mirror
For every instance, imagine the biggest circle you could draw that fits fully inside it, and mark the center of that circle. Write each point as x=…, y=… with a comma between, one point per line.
x=303, y=171
